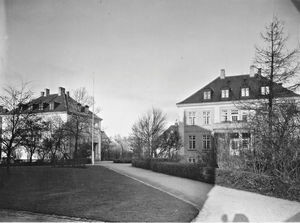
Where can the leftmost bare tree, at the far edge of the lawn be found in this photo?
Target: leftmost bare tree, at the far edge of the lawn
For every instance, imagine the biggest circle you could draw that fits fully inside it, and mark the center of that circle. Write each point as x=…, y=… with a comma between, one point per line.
x=14, y=103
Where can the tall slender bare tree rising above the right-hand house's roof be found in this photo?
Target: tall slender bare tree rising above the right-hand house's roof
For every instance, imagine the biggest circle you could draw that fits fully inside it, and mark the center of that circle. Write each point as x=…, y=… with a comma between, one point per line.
x=277, y=63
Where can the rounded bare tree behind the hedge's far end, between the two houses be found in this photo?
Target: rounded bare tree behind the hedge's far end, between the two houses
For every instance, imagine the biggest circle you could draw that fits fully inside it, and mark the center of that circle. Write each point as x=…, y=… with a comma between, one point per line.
x=148, y=129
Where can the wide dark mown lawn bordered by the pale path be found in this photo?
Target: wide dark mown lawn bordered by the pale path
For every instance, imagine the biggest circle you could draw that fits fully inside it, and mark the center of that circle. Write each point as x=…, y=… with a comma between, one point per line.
x=93, y=192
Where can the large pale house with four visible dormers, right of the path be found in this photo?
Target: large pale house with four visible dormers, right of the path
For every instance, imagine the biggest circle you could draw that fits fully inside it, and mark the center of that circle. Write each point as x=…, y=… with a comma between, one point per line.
x=215, y=112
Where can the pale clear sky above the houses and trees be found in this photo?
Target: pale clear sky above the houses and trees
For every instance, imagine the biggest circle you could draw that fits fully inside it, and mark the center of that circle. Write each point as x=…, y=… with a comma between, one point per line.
x=140, y=53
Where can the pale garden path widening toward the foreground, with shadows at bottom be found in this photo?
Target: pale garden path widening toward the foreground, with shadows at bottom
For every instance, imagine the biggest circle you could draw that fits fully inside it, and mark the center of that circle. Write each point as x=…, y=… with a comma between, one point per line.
x=215, y=203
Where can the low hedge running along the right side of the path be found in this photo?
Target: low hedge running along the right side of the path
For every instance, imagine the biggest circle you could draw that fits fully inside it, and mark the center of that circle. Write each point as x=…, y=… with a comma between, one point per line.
x=258, y=183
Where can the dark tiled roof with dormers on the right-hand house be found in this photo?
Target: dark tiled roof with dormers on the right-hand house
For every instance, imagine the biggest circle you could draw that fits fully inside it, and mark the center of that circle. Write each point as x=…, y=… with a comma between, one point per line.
x=234, y=84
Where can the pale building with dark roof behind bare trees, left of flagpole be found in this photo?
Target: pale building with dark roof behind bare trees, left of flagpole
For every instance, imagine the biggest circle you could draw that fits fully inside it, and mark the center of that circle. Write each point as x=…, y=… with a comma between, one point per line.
x=60, y=107
